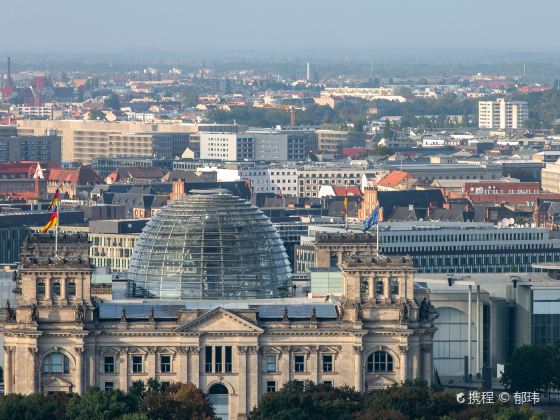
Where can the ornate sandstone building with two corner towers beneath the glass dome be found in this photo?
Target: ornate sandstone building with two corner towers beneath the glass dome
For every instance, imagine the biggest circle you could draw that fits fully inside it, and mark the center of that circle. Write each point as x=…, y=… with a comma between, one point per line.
x=59, y=338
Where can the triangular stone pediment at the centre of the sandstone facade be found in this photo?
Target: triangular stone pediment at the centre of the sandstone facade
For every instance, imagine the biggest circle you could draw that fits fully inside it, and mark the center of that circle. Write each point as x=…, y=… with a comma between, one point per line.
x=219, y=320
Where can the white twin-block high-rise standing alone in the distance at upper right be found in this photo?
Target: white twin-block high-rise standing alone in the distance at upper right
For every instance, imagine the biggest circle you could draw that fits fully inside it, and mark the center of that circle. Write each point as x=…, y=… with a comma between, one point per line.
x=502, y=114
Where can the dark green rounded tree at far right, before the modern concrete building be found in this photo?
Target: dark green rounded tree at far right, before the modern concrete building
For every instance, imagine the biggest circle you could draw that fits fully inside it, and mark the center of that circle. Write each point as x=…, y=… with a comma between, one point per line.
x=529, y=368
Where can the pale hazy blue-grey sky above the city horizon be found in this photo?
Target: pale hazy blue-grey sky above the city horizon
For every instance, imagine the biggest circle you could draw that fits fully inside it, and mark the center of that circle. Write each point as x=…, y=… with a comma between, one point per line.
x=204, y=25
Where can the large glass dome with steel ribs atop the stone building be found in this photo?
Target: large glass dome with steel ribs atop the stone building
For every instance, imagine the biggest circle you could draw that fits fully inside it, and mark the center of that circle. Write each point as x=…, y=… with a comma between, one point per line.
x=209, y=245
